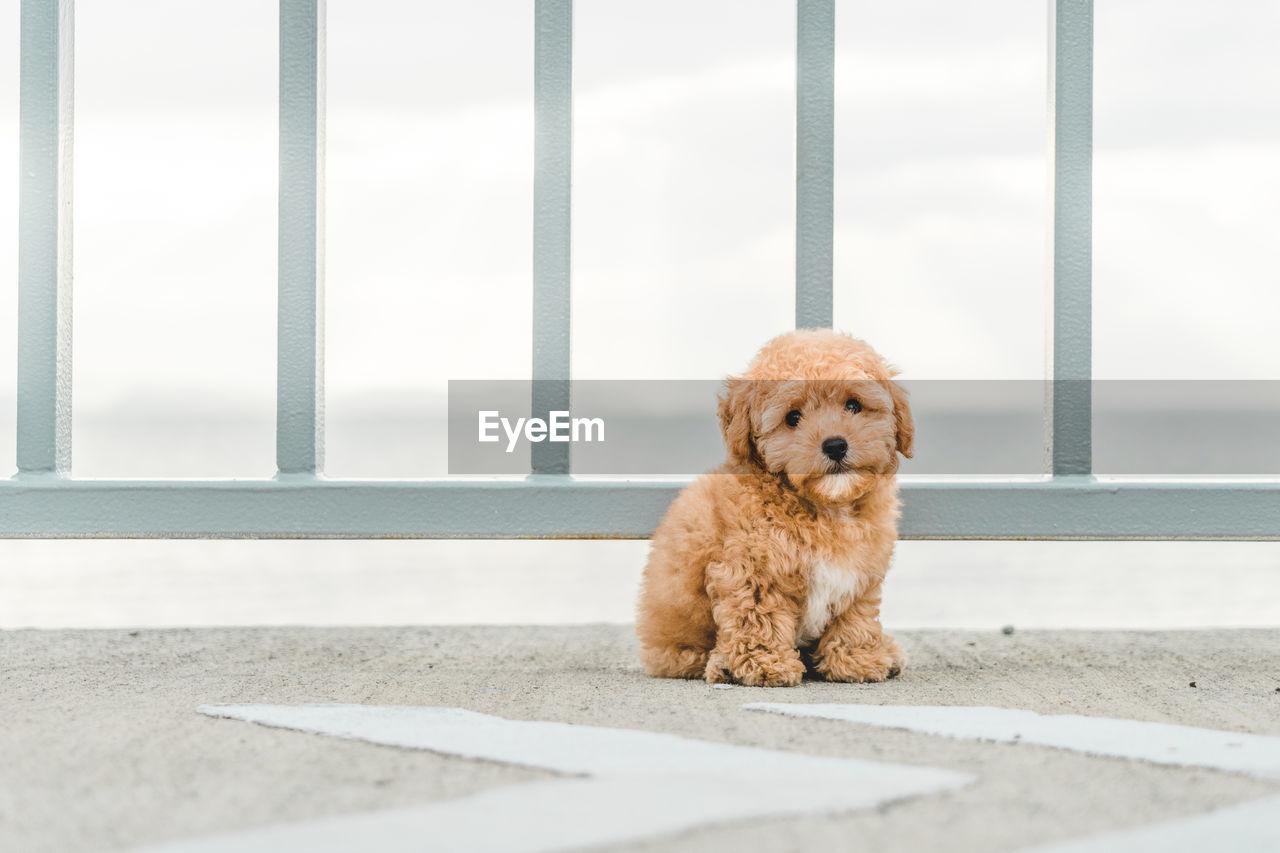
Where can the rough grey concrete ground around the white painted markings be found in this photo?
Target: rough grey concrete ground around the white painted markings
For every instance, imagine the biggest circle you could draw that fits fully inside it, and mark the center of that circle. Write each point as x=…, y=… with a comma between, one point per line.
x=102, y=749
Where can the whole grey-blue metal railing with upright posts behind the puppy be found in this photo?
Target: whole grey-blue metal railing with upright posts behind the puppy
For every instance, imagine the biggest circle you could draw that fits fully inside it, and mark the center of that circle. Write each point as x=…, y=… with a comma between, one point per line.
x=44, y=501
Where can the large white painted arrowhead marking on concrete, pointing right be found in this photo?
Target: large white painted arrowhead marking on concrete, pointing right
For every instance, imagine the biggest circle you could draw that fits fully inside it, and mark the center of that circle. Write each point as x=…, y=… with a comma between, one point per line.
x=637, y=786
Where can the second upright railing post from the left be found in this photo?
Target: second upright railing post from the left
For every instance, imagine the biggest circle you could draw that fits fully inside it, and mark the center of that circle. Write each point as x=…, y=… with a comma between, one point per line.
x=300, y=331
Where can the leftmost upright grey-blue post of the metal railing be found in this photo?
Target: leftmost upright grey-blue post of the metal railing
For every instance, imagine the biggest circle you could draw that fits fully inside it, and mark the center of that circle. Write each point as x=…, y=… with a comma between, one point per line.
x=45, y=238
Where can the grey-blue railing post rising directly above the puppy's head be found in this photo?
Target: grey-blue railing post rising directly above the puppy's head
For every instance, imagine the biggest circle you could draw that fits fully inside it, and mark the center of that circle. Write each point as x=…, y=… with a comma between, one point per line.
x=816, y=134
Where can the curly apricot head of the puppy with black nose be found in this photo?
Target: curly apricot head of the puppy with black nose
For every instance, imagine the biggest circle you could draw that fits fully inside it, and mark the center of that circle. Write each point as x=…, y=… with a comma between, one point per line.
x=821, y=412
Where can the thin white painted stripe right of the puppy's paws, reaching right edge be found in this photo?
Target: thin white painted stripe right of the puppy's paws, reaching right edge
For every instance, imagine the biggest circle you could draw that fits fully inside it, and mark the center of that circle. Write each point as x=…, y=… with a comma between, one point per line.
x=1156, y=742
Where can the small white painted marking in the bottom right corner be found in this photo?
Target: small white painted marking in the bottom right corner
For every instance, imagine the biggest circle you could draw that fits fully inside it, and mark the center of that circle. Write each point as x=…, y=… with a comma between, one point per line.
x=1252, y=828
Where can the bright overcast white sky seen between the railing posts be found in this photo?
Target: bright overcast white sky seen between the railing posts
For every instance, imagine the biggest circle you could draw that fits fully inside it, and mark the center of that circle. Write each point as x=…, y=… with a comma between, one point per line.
x=684, y=190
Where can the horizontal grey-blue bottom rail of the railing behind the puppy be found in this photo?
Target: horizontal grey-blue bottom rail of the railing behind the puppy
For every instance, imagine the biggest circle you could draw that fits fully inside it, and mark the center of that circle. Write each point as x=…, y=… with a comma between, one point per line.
x=557, y=508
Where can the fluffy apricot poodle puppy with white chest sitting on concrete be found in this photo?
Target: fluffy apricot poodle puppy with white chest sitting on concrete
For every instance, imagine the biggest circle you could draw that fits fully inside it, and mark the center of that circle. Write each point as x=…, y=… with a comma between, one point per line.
x=772, y=564
